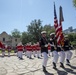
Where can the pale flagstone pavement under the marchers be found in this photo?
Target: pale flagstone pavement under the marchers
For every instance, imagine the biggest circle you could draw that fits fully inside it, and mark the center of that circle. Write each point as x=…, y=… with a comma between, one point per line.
x=13, y=66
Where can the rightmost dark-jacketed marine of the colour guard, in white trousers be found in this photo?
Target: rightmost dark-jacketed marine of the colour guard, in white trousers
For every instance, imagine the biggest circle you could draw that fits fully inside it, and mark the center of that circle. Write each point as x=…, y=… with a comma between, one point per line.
x=67, y=48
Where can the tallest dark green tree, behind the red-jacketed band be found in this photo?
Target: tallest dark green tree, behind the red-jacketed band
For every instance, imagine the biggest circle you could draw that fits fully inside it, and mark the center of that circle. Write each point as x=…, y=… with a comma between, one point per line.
x=34, y=30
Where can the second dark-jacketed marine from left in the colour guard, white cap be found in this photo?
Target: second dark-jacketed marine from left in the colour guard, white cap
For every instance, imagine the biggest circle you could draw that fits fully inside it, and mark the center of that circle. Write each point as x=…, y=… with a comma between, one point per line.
x=52, y=42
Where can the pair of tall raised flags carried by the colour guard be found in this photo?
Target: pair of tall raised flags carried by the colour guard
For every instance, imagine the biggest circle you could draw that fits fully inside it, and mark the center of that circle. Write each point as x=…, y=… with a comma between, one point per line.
x=58, y=28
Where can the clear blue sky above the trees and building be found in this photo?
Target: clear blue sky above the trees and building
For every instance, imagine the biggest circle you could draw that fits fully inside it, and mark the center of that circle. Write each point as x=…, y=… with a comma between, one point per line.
x=17, y=14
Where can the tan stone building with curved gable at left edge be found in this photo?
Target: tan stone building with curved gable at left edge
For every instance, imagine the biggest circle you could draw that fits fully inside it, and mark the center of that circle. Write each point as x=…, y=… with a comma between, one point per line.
x=9, y=40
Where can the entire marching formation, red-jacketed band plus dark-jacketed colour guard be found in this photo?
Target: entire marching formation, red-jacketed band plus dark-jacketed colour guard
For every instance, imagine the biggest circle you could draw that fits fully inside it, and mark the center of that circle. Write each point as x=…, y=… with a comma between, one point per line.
x=42, y=49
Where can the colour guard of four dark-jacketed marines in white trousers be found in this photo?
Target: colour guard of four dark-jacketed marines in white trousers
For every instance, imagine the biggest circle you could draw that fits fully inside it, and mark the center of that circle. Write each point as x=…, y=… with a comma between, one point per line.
x=62, y=51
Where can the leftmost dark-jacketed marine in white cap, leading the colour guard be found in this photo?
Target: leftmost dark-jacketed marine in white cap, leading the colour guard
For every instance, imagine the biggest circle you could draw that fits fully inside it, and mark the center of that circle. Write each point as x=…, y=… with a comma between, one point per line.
x=44, y=49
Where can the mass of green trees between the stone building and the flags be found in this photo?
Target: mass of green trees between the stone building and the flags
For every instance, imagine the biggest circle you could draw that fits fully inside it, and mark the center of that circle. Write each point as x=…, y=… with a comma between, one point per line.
x=33, y=33
